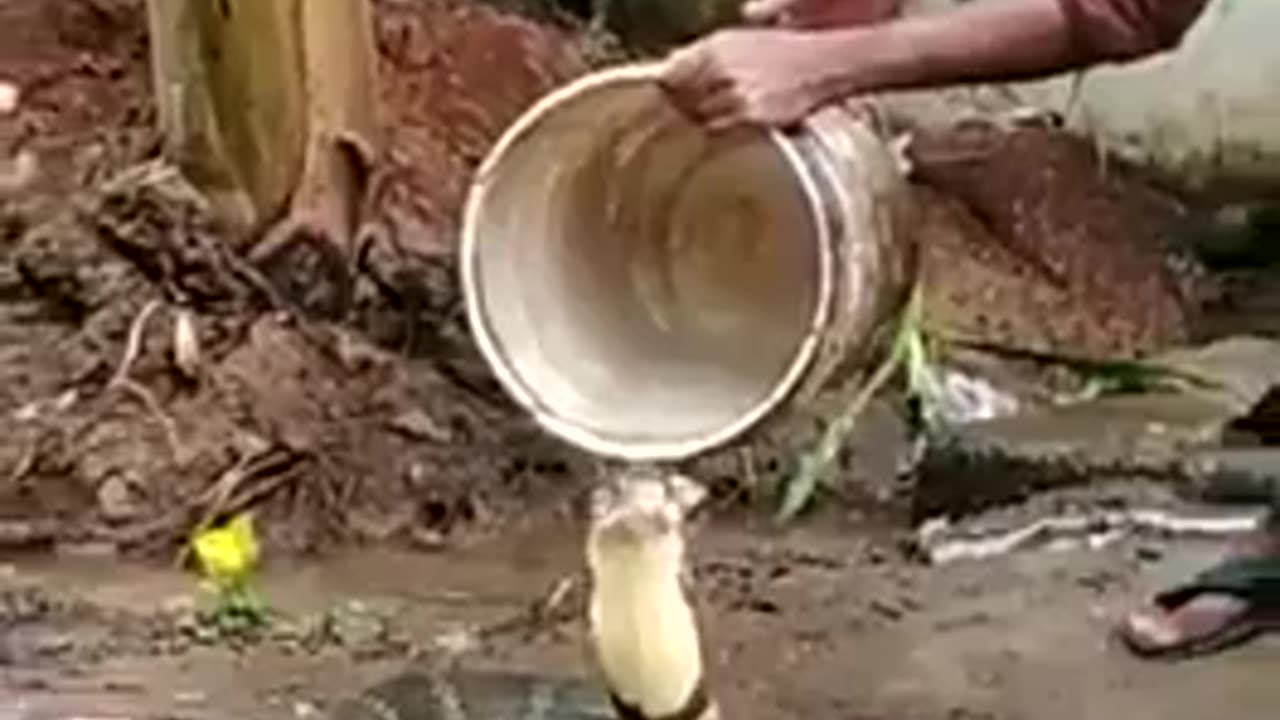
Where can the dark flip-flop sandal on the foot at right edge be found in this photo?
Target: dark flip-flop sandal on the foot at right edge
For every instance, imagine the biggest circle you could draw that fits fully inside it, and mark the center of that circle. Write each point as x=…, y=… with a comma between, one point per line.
x=1255, y=581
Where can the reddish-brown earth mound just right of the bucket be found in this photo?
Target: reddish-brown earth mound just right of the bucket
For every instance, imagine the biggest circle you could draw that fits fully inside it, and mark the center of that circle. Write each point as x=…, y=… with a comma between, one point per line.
x=1032, y=241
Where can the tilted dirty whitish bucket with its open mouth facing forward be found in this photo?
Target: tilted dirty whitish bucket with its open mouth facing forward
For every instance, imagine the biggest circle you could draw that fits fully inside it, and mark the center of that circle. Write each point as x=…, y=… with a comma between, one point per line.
x=650, y=291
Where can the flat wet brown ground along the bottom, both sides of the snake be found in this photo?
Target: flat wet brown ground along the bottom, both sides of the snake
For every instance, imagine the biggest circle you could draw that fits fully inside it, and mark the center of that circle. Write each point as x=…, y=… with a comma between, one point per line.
x=822, y=626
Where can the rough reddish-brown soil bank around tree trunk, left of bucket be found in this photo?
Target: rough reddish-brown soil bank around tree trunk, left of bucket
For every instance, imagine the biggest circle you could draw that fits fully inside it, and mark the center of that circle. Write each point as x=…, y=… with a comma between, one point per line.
x=383, y=427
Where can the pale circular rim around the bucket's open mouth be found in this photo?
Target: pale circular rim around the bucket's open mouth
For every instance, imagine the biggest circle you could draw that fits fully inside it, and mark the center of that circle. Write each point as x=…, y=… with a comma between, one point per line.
x=513, y=381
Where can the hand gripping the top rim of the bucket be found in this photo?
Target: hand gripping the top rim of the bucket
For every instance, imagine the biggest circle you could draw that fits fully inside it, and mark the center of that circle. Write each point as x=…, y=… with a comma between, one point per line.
x=751, y=76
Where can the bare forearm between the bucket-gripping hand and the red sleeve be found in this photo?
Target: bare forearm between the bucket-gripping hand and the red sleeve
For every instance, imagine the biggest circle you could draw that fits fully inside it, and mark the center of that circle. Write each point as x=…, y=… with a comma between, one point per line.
x=991, y=42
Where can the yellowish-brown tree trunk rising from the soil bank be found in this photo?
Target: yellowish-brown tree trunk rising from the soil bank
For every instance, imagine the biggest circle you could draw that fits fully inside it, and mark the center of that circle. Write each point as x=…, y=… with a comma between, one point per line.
x=269, y=108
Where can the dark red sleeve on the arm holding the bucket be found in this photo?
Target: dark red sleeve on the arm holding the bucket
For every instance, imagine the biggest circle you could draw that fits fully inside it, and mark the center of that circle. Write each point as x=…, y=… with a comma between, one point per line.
x=1122, y=30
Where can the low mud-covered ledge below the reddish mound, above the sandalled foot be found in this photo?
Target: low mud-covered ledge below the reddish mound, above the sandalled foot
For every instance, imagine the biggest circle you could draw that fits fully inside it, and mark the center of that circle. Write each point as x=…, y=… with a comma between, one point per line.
x=1178, y=436
